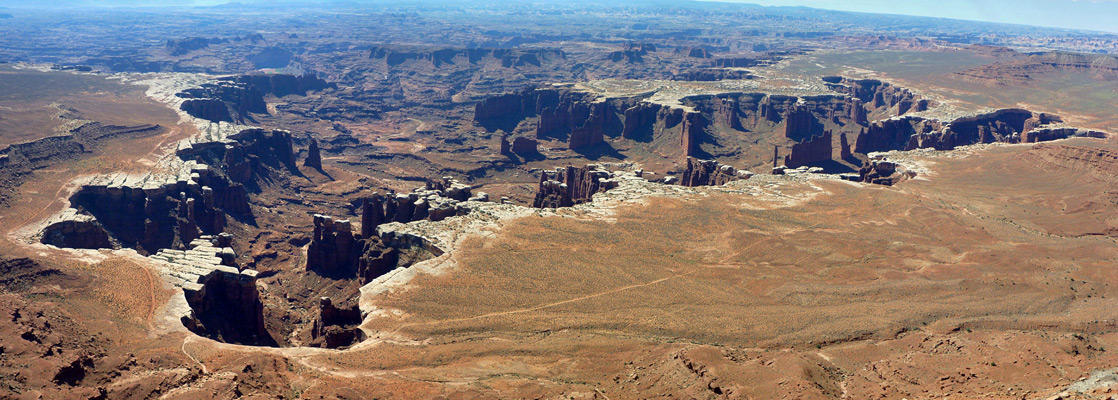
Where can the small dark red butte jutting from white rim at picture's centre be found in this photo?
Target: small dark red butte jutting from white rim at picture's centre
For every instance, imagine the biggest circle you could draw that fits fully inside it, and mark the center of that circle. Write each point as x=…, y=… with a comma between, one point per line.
x=572, y=186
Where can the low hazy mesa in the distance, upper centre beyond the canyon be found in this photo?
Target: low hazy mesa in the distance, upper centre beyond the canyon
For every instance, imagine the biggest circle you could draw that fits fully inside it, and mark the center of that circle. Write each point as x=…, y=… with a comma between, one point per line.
x=394, y=55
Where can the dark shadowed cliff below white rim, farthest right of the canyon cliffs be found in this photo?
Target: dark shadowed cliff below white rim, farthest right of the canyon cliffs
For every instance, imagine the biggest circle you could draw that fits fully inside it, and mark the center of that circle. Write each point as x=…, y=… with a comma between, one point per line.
x=1008, y=126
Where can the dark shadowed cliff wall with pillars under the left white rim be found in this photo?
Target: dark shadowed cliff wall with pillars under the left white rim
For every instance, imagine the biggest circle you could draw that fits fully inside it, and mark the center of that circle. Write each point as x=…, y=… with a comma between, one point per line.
x=149, y=214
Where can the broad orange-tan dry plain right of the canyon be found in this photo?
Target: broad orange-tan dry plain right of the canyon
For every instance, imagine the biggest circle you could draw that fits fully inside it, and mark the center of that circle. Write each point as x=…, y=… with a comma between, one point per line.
x=858, y=263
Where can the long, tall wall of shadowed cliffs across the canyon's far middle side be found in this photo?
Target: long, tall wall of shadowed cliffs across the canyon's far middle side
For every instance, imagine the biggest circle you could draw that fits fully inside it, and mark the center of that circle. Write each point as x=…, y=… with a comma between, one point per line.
x=708, y=125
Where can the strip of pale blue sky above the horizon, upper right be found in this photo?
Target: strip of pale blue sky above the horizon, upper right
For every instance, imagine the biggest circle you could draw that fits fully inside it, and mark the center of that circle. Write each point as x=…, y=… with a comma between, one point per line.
x=1093, y=15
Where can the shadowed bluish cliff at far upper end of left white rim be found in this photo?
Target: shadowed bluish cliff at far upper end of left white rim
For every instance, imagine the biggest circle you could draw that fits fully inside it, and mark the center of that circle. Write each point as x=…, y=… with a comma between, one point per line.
x=235, y=99
